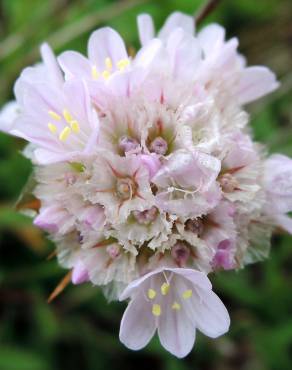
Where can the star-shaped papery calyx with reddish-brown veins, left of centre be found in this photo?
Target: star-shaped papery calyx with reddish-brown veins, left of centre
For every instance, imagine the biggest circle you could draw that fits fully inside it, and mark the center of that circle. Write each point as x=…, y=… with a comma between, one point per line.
x=120, y=184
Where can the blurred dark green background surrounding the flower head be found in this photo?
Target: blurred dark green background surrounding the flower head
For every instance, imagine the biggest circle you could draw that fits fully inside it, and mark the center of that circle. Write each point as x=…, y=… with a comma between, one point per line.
x=79, y=330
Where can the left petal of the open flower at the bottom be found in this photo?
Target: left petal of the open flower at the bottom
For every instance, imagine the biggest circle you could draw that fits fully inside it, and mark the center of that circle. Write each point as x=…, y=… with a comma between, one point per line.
x=138, y=324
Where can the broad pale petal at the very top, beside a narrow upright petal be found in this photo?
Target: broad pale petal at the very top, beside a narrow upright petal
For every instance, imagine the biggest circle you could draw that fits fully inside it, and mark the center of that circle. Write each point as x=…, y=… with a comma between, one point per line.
x=177, y=19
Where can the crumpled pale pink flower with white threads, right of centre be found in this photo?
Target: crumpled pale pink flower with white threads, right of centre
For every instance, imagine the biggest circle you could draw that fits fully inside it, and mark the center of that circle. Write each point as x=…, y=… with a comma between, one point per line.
x=187, y=183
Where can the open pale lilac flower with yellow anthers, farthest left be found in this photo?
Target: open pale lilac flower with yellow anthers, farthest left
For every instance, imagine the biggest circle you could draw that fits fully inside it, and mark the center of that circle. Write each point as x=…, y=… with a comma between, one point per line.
x=59, y=121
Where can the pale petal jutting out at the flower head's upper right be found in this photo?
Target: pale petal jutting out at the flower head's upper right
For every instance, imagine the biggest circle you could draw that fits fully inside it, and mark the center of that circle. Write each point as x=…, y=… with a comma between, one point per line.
x=256, y=82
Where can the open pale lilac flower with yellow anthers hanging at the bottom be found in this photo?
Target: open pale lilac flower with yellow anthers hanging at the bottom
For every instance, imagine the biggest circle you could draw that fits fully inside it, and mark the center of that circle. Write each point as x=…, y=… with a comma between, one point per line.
x=176, y=302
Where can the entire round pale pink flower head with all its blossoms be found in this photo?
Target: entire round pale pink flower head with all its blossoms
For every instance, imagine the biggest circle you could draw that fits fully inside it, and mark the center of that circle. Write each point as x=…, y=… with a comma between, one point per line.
x=147, y=174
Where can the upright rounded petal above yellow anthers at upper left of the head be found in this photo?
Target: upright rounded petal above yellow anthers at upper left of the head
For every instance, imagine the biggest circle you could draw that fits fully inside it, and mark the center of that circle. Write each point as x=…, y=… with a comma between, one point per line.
x=106, y=43
